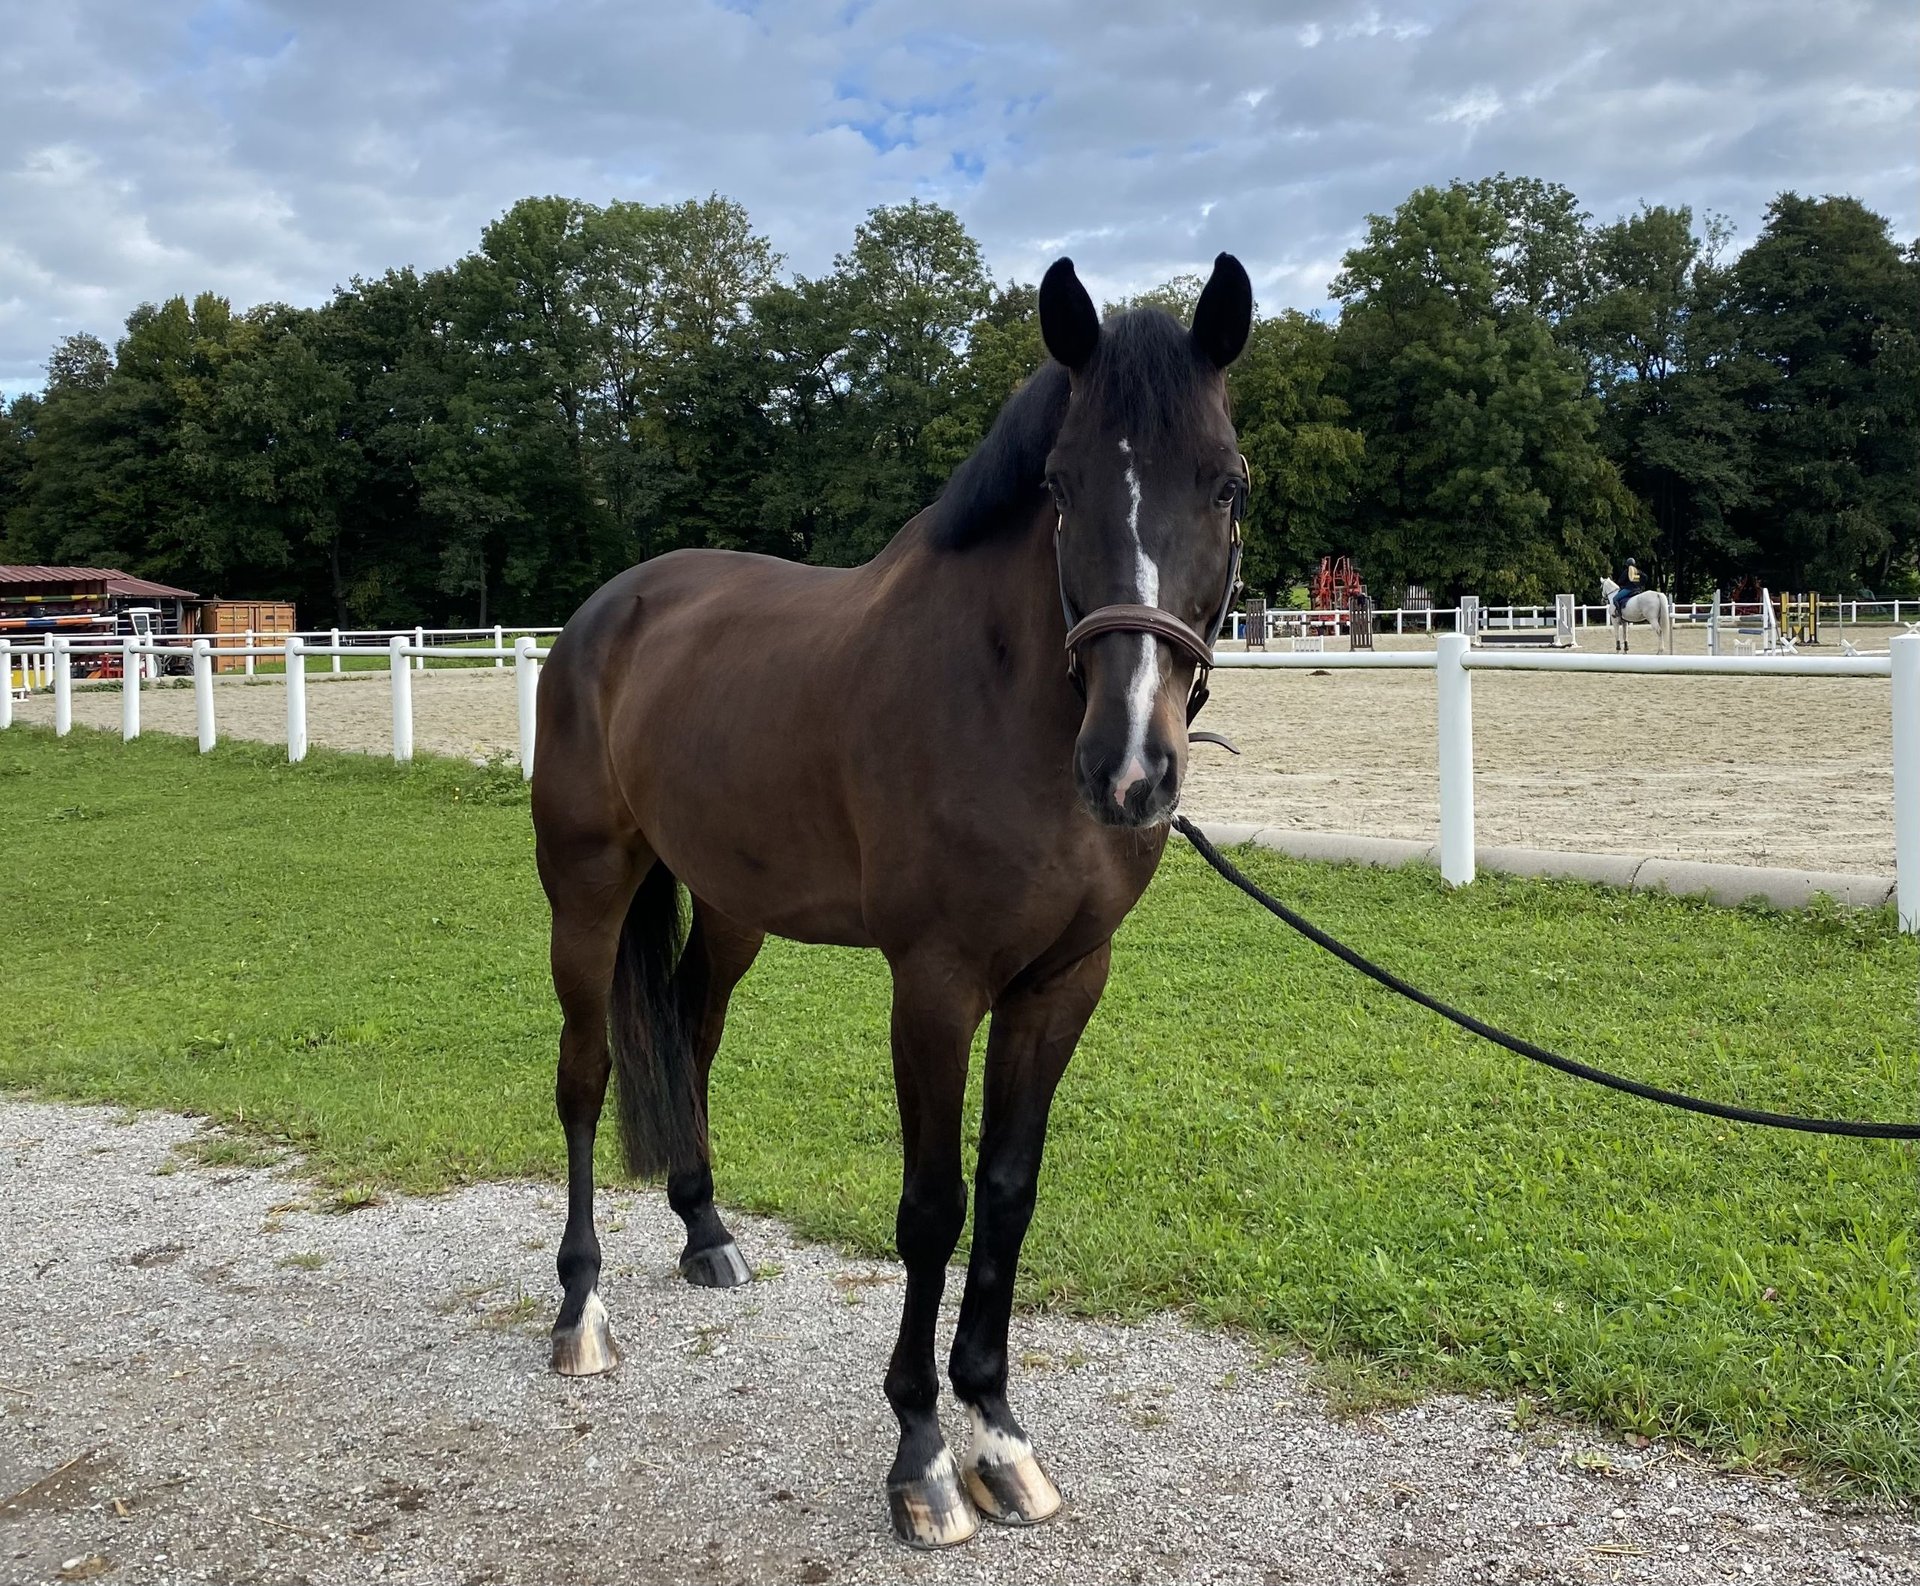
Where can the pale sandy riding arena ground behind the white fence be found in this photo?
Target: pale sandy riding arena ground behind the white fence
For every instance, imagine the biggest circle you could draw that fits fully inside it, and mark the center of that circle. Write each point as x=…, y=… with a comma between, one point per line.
x=1739, y=771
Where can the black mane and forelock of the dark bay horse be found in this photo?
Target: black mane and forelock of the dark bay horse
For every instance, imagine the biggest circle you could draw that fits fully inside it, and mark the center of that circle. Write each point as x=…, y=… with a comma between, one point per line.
x=1145, y=377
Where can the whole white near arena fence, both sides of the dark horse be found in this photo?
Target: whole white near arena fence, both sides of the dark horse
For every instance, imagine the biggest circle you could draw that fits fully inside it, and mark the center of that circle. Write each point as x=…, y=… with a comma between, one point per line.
x=1452, y=661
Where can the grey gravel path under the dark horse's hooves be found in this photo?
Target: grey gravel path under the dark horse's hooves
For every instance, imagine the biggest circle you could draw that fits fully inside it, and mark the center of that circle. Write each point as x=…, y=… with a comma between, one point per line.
x=208, y=1378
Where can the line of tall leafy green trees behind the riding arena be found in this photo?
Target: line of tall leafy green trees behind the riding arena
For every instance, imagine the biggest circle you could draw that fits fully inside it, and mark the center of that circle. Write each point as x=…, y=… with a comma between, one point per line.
x=1508, y=402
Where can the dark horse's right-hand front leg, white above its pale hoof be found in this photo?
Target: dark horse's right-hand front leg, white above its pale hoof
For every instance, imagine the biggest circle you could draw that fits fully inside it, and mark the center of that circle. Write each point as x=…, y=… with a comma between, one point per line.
x=1036, y=1030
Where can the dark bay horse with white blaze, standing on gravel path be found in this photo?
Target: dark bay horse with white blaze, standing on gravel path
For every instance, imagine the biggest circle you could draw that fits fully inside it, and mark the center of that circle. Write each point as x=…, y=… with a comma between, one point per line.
x=965, y=756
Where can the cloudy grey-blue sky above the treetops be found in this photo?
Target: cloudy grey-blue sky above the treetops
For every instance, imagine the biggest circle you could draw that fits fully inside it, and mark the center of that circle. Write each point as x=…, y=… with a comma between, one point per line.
x=276, y=149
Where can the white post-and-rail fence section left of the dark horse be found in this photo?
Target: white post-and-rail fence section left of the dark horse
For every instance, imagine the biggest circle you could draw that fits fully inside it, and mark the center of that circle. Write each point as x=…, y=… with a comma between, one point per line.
x=55, y=661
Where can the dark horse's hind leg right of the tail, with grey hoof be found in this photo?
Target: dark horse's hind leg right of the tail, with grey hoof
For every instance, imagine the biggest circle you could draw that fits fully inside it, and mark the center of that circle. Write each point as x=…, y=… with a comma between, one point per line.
x=719, y=953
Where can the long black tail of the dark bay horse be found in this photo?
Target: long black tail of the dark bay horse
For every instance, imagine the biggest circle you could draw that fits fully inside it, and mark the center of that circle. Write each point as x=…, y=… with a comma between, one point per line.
x=652, y=1036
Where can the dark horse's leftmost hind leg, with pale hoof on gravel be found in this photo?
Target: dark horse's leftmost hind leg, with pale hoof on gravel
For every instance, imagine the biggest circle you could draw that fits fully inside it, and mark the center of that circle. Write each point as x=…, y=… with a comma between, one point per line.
x=590, y=894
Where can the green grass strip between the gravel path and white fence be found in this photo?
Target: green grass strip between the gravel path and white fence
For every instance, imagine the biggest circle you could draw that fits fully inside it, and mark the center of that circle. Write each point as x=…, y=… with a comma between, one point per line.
x=352, y=959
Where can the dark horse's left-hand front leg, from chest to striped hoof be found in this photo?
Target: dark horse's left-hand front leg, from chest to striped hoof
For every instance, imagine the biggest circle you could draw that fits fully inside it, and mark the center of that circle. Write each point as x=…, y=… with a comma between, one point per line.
x=934, y=1022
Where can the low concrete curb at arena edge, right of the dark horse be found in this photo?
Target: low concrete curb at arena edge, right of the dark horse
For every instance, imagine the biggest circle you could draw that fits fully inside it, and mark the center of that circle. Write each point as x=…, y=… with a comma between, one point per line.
x=1725, y=884
